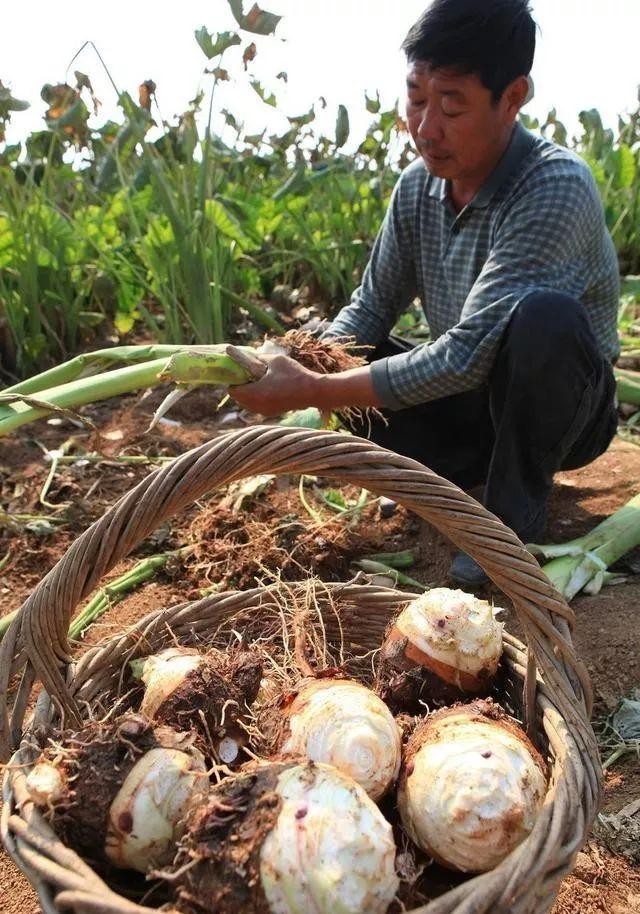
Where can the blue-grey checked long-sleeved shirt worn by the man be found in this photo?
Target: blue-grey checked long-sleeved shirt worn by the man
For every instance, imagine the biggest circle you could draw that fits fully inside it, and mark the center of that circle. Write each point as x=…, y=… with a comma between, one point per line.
x=537, y=223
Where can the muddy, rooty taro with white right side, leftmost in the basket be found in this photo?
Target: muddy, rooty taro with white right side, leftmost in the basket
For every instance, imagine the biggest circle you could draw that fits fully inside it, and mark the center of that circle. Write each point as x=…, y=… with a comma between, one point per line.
x=120, y=792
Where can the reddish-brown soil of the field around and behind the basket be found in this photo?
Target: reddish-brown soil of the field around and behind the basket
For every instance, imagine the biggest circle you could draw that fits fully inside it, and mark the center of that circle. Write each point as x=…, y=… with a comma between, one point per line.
x=282, y=538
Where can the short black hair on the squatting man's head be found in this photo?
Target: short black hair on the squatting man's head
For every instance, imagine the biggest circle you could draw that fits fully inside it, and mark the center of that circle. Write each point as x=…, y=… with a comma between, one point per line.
x=495, y=39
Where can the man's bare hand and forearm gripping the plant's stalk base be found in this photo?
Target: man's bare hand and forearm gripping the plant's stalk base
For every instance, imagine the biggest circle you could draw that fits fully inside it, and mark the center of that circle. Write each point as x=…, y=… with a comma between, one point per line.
x=288, y=385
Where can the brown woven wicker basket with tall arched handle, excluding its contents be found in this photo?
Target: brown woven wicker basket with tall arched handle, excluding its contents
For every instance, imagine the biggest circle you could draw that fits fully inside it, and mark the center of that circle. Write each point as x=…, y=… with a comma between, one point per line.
x=548, y=681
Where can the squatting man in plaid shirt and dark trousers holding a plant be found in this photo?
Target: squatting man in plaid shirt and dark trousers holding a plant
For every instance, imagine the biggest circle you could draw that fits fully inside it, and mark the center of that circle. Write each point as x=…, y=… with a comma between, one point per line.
x=502, y=236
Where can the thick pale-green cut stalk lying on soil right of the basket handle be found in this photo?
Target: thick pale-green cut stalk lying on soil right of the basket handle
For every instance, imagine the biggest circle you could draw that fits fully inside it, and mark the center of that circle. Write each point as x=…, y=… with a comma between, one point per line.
x=582, y=563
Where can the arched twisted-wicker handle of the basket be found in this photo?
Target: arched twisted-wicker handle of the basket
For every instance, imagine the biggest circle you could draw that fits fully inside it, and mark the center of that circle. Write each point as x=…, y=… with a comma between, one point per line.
x=37, y=641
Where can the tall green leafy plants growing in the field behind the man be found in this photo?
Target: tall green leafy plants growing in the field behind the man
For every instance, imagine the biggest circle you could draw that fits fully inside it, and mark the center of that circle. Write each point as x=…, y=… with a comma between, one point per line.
x=186, y=233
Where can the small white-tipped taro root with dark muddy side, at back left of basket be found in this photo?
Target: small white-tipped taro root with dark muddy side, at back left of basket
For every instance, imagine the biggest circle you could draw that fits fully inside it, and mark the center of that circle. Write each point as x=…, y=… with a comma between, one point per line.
x=209, y=693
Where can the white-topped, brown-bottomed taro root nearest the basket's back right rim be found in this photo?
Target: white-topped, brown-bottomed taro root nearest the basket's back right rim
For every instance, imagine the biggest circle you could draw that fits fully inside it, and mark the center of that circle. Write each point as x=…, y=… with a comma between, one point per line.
x=443, y=644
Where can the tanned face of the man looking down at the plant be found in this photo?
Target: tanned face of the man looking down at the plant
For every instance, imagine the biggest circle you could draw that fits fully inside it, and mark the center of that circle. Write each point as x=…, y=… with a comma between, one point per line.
x=454, y=123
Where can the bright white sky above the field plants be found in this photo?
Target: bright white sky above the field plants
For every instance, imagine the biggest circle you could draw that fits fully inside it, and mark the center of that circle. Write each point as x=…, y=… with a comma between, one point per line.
x=587, y=55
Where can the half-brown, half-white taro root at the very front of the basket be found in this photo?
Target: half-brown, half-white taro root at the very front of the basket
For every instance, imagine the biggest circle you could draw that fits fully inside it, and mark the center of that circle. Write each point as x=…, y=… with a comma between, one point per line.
x=287, y=838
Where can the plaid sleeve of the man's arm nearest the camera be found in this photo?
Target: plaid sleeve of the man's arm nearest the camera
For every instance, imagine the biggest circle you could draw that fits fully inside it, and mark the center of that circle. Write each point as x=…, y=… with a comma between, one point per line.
x=540, y=244
